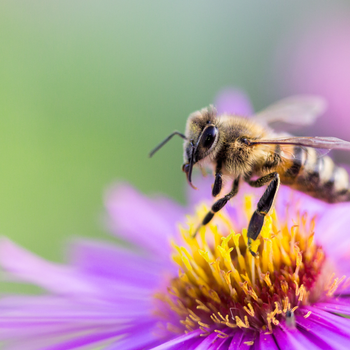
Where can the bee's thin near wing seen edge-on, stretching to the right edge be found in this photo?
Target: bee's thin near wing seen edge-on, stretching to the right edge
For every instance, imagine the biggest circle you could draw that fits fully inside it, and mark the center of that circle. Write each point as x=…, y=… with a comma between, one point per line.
x=307, y=141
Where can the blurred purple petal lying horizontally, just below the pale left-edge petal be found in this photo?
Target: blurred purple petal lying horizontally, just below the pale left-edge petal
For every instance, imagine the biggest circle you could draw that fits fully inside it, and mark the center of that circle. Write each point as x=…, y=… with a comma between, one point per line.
x=38, y=312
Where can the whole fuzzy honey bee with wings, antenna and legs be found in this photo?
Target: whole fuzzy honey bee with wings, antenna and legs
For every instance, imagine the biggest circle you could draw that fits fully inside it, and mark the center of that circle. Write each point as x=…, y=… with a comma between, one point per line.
x=250, y=150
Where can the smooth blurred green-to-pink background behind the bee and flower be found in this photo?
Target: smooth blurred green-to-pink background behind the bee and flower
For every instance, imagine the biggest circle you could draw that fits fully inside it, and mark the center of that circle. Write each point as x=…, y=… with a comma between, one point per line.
x=87, y=88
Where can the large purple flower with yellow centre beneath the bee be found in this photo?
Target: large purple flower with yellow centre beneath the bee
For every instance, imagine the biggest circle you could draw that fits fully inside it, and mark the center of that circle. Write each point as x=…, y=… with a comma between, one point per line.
x=168, y=290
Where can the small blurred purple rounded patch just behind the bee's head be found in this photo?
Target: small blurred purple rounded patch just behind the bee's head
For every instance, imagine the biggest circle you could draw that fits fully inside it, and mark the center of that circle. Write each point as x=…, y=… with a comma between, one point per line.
x=233, y=101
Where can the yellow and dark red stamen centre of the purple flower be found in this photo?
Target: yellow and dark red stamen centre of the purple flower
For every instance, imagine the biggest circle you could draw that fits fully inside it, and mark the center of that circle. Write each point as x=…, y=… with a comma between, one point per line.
x=222, y=286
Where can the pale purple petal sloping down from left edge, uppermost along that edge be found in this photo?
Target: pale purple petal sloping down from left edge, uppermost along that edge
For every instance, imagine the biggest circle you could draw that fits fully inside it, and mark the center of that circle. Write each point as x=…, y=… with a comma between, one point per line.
x=69, y=281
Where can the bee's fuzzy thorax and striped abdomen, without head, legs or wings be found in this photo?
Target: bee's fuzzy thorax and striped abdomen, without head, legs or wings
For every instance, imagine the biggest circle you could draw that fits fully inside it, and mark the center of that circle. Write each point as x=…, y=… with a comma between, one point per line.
x=303, y=170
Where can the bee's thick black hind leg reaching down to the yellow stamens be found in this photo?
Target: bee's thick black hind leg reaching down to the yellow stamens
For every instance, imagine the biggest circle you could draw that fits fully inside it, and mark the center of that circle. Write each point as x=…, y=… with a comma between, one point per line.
x=264, y=206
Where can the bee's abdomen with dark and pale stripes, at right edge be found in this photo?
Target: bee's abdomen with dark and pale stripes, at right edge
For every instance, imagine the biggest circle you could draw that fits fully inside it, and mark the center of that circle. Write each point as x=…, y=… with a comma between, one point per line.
x=316, y=175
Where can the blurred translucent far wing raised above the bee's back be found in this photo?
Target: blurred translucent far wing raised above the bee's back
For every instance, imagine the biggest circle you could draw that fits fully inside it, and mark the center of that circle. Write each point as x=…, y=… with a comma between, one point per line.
x=296, y=110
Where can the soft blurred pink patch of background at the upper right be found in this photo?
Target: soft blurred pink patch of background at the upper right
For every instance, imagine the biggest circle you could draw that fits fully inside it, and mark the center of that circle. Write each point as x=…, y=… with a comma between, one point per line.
x=315, y=59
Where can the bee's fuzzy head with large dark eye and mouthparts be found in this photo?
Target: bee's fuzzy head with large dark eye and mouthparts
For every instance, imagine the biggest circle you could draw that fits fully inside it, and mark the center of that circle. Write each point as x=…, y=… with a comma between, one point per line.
x=202, y=137
